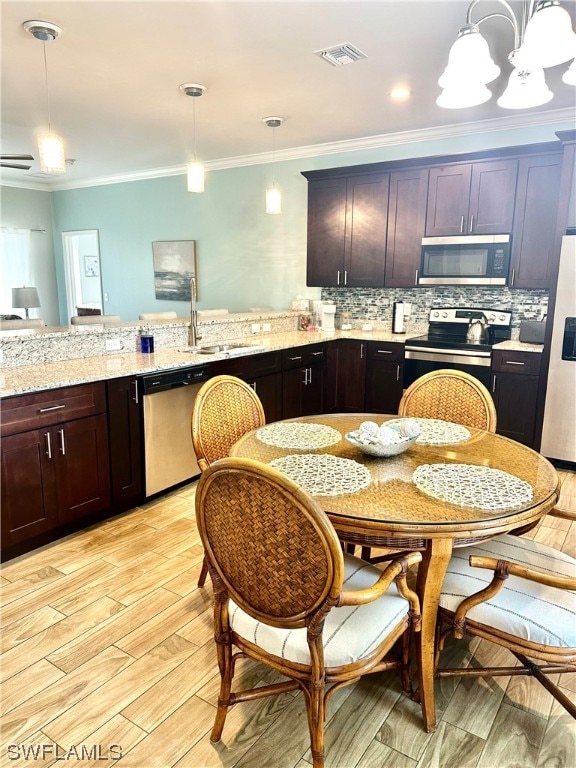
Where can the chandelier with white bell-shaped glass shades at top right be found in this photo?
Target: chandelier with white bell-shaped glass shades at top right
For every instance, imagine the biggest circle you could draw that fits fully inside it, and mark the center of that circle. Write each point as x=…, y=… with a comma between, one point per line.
x=543, y=38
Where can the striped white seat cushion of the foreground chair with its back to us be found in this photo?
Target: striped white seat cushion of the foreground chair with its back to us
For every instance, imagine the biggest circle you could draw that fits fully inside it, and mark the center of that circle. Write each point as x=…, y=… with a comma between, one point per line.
x=350, y=632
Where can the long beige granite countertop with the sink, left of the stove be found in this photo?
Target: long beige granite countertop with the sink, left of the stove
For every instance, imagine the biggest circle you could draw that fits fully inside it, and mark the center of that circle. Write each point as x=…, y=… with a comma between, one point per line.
x=35, y=378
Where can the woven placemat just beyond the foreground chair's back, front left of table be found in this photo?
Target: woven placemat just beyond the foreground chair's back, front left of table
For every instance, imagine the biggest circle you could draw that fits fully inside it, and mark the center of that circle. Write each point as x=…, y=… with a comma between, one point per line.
x=323, y=474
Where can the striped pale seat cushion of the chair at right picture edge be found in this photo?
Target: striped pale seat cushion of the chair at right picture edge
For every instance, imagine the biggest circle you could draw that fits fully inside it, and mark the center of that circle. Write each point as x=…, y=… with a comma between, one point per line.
x=523, y=608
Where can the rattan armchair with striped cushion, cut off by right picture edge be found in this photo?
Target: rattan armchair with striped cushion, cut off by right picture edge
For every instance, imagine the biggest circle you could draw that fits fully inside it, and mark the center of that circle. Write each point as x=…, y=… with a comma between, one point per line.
x=519, y=594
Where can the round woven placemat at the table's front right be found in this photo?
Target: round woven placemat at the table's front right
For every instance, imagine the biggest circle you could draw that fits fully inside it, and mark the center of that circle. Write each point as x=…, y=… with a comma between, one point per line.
x=469, y=485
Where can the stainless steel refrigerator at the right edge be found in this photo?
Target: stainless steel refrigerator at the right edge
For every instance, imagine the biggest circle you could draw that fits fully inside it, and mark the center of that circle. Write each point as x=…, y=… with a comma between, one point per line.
x=559, y=428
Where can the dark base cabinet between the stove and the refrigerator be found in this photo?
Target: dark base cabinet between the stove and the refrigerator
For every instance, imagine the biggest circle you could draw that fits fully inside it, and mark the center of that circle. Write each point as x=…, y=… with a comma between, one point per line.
x=515, y=391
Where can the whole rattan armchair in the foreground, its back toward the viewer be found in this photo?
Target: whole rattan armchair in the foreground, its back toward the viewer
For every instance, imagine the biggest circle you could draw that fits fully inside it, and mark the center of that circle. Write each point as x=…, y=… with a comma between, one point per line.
x=285, y=594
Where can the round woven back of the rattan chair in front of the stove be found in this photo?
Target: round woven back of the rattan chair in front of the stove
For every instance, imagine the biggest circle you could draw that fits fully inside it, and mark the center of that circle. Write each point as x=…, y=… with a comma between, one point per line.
x=450, y=395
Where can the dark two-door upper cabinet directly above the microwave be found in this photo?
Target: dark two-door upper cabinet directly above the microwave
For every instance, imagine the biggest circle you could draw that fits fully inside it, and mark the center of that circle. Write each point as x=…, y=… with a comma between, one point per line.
x=472, y=198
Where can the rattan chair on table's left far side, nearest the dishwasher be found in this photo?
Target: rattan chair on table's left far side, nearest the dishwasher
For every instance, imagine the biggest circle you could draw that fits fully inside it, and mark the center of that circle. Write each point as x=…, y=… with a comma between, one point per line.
x=225, y=409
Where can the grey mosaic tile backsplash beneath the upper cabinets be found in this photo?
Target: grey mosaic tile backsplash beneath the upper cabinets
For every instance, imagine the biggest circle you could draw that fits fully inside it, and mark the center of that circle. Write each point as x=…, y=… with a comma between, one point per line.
x=375, y=304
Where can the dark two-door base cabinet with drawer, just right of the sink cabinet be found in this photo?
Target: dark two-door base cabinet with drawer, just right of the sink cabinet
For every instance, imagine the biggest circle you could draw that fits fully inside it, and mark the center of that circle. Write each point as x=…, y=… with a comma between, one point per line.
x=303, y=380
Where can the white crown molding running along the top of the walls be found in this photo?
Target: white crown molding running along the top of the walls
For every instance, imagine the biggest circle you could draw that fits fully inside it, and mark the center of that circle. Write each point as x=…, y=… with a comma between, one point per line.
x=454, y=130
